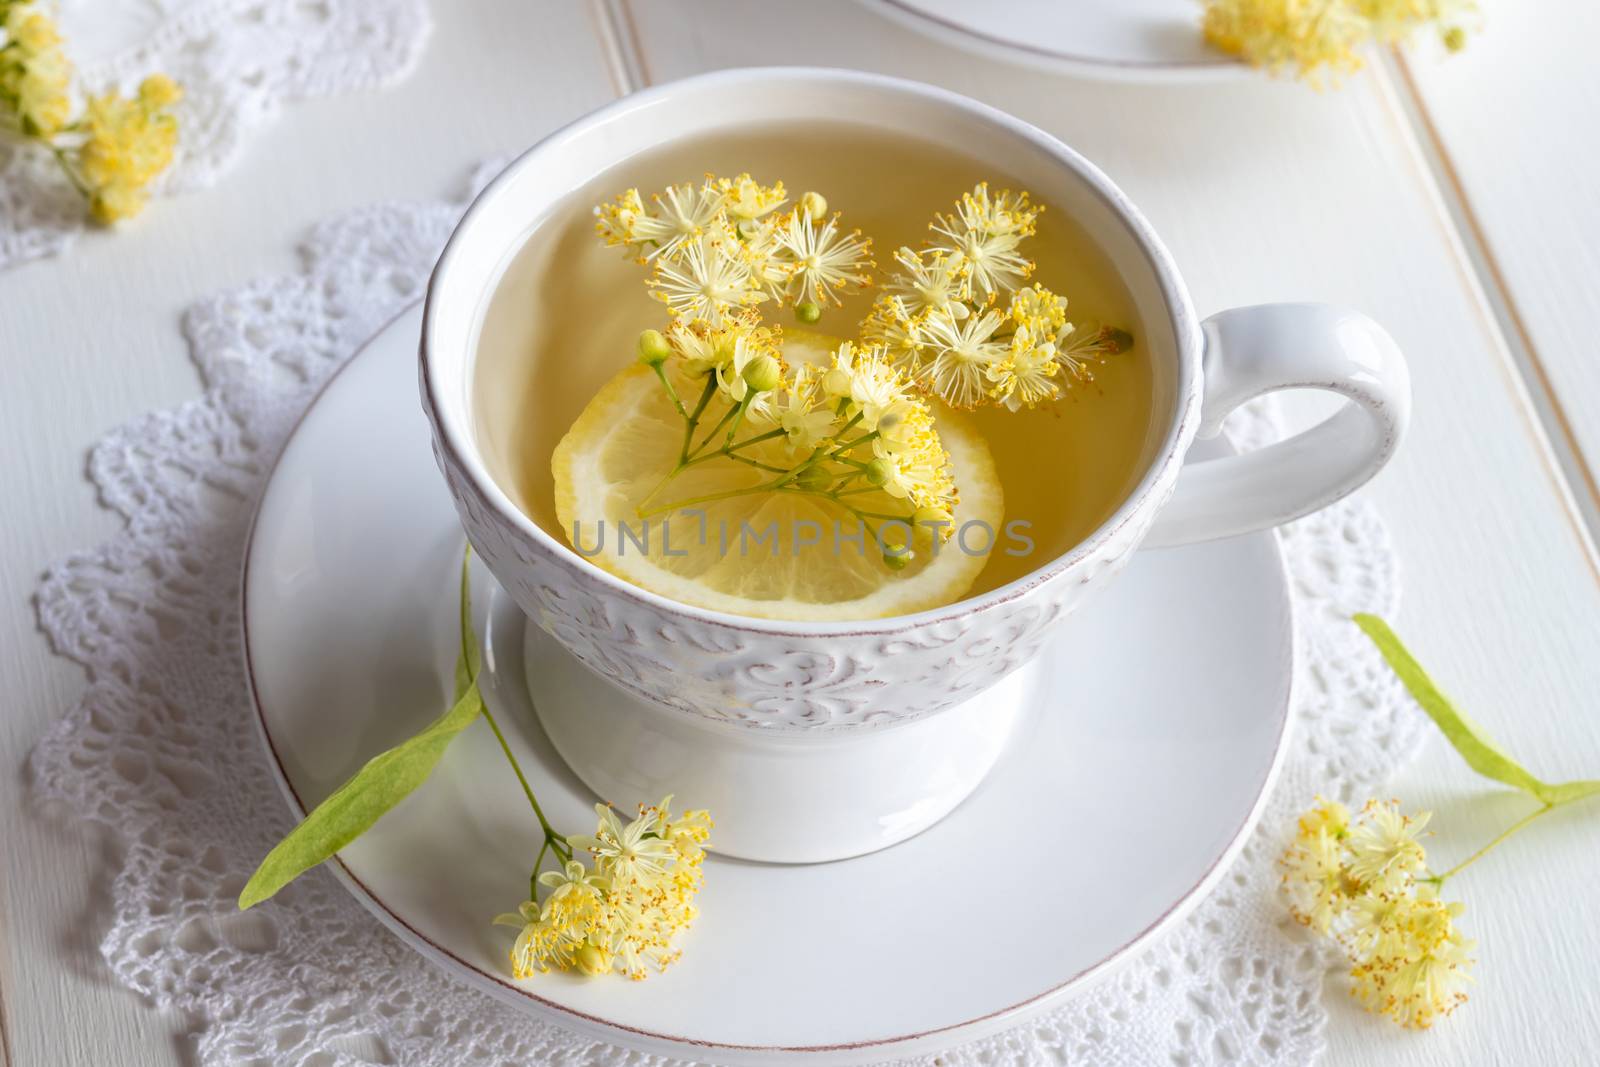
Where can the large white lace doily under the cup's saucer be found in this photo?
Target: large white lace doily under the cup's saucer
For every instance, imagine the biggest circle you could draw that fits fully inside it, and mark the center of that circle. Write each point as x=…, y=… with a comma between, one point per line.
x=164, y=753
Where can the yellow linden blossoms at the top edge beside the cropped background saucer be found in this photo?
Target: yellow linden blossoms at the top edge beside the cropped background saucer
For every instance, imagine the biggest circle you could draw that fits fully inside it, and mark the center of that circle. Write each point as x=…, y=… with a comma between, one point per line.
x=1311, y=36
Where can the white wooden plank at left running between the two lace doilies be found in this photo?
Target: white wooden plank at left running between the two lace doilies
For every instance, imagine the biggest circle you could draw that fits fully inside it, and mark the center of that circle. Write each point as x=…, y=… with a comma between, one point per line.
x=92, y=340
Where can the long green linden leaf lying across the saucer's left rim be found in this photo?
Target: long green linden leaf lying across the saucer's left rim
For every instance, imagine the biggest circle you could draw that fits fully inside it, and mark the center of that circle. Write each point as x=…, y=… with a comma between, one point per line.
x=386, y=780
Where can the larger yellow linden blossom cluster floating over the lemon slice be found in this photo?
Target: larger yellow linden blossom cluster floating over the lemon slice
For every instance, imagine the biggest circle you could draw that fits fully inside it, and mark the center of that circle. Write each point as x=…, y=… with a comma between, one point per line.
x=854, y=433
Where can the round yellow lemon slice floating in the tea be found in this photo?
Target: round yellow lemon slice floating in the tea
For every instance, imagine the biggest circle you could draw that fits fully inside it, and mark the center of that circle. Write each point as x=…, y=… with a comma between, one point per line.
x=775, y=556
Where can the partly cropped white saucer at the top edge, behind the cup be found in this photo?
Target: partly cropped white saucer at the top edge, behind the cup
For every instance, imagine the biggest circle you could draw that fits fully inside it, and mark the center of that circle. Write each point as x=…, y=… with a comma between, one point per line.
x=1126, y=41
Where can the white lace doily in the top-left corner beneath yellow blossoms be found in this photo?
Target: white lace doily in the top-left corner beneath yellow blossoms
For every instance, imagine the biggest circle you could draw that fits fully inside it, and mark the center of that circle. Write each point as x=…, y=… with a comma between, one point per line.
x=238, y=60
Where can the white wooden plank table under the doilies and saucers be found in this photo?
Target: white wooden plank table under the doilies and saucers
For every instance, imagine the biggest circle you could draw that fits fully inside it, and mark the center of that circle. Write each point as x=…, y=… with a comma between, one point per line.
x=1454, y=201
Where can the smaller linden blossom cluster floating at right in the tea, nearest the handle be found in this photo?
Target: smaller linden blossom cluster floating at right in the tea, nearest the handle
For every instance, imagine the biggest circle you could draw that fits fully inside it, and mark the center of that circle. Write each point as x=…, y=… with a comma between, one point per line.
x=961, y=322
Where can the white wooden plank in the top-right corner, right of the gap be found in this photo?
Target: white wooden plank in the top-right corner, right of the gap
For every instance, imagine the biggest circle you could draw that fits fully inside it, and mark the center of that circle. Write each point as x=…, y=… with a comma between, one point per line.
x=1510, y=126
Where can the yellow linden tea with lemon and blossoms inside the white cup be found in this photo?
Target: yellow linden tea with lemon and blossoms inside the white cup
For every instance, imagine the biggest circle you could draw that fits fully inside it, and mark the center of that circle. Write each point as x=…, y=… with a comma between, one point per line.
x=814, y=372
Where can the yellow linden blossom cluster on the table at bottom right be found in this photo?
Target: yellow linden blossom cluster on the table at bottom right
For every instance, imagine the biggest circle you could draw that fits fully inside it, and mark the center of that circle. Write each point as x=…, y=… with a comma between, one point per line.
x=1364, y=882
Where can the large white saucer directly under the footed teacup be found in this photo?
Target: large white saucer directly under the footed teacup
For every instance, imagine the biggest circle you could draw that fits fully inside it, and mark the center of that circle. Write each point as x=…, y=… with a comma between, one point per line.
x=1122, y=801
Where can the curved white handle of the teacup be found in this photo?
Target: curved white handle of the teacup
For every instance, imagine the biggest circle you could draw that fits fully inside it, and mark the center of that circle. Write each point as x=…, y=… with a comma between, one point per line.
x=1254, y=351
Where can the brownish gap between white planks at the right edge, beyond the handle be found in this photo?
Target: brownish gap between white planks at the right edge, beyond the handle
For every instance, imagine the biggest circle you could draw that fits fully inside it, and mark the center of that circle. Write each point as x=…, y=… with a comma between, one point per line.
x=1569, y=470
